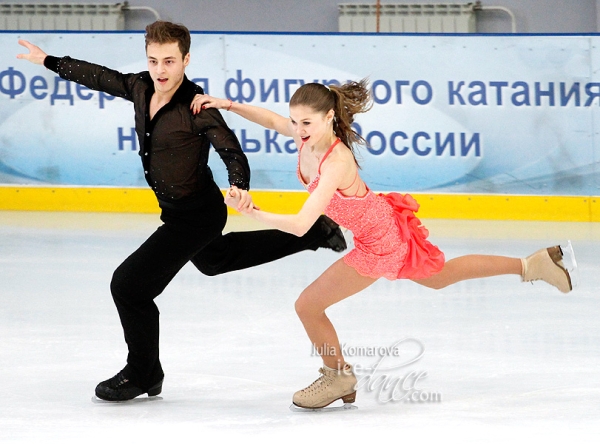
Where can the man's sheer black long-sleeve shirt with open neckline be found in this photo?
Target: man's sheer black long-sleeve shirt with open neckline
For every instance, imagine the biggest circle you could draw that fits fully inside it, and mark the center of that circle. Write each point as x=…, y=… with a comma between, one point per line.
x=174, y=145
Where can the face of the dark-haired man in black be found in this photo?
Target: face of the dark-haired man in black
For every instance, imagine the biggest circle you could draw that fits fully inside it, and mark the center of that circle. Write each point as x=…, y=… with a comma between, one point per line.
x=167, y=66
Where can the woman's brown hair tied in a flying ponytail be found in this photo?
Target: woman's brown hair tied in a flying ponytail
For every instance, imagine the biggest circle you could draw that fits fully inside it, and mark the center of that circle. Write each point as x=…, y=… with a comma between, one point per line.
x=345, y=100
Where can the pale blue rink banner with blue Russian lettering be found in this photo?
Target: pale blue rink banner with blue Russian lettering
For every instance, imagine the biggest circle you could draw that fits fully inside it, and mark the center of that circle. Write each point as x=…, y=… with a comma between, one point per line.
x=476, y=115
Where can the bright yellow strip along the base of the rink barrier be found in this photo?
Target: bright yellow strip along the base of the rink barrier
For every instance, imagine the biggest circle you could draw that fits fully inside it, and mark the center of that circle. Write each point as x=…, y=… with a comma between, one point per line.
x=437, y=206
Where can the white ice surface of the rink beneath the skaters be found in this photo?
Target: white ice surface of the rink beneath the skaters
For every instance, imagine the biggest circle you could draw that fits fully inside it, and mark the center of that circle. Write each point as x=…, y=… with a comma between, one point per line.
x=490, y=360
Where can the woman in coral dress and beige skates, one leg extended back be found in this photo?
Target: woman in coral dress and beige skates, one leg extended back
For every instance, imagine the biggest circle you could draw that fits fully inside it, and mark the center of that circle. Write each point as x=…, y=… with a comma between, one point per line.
x=389, y=239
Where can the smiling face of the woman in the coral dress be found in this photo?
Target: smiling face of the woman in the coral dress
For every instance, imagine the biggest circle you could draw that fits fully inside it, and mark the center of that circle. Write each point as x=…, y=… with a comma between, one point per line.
x=311, y=126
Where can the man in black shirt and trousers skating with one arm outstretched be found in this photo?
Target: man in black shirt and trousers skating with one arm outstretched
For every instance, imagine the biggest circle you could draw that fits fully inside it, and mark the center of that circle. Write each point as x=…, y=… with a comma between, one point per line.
x=174, y=147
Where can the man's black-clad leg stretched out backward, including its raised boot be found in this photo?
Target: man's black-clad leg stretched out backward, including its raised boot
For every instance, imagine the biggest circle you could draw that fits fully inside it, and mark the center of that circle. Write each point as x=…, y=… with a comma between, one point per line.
x=239, y=250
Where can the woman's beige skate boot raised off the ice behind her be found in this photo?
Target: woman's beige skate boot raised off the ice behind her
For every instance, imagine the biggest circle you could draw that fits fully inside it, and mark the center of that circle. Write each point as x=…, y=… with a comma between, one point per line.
x=547, y=265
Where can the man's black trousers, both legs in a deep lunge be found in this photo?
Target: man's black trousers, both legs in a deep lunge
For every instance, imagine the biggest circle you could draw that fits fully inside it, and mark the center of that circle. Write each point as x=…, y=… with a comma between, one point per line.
x=187, y=235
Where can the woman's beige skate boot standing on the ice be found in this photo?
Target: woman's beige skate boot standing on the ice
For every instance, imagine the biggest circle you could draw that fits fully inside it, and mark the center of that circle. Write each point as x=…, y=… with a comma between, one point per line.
x=331, y=386
